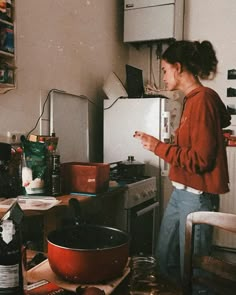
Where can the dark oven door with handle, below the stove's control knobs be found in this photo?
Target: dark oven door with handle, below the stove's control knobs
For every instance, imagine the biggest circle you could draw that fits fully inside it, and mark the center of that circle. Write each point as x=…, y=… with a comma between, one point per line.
x=142, y=226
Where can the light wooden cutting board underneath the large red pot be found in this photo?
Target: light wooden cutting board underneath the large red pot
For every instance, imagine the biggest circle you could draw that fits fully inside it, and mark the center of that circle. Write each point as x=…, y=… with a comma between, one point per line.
x=43, y=271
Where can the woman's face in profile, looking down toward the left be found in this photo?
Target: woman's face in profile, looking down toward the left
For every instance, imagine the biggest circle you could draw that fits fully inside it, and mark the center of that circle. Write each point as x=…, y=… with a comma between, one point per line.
x=170, y=75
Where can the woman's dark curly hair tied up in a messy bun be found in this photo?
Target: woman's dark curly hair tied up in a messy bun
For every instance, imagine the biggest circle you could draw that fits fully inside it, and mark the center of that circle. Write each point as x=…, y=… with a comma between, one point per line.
x=197, y=58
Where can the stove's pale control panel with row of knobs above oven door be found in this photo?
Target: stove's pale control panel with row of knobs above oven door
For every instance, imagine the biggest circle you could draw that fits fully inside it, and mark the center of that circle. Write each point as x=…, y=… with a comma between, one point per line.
x=140, y=191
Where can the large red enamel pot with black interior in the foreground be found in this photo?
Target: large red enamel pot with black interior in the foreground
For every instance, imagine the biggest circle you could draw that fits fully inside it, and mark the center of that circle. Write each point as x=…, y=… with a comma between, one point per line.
x=88, y=253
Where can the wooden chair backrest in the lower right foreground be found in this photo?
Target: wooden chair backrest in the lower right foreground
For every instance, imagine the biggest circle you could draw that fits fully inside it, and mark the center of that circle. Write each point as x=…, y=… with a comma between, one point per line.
x=221, y=220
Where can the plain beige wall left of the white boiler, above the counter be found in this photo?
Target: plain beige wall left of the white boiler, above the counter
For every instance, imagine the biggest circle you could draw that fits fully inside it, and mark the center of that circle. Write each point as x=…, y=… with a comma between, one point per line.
x=65, y=44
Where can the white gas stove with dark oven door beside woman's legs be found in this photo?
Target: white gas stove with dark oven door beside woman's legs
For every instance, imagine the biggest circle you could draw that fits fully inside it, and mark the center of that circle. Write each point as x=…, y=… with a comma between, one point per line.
x=139, y=213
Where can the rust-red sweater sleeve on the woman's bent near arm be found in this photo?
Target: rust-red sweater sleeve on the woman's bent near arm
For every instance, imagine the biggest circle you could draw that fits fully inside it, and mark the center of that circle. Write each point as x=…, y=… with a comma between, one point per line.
x=196, y=139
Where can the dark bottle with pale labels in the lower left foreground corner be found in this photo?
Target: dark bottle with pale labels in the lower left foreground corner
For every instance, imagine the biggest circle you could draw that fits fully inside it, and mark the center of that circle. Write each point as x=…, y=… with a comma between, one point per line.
x=11, y=268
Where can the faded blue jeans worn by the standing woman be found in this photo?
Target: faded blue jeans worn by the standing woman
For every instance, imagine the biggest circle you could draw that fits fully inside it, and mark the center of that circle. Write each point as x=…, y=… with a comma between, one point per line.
x=171, y=241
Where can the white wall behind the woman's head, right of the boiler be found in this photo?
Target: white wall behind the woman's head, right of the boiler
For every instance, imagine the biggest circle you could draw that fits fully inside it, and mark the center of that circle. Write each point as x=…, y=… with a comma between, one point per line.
x=215, y=20
